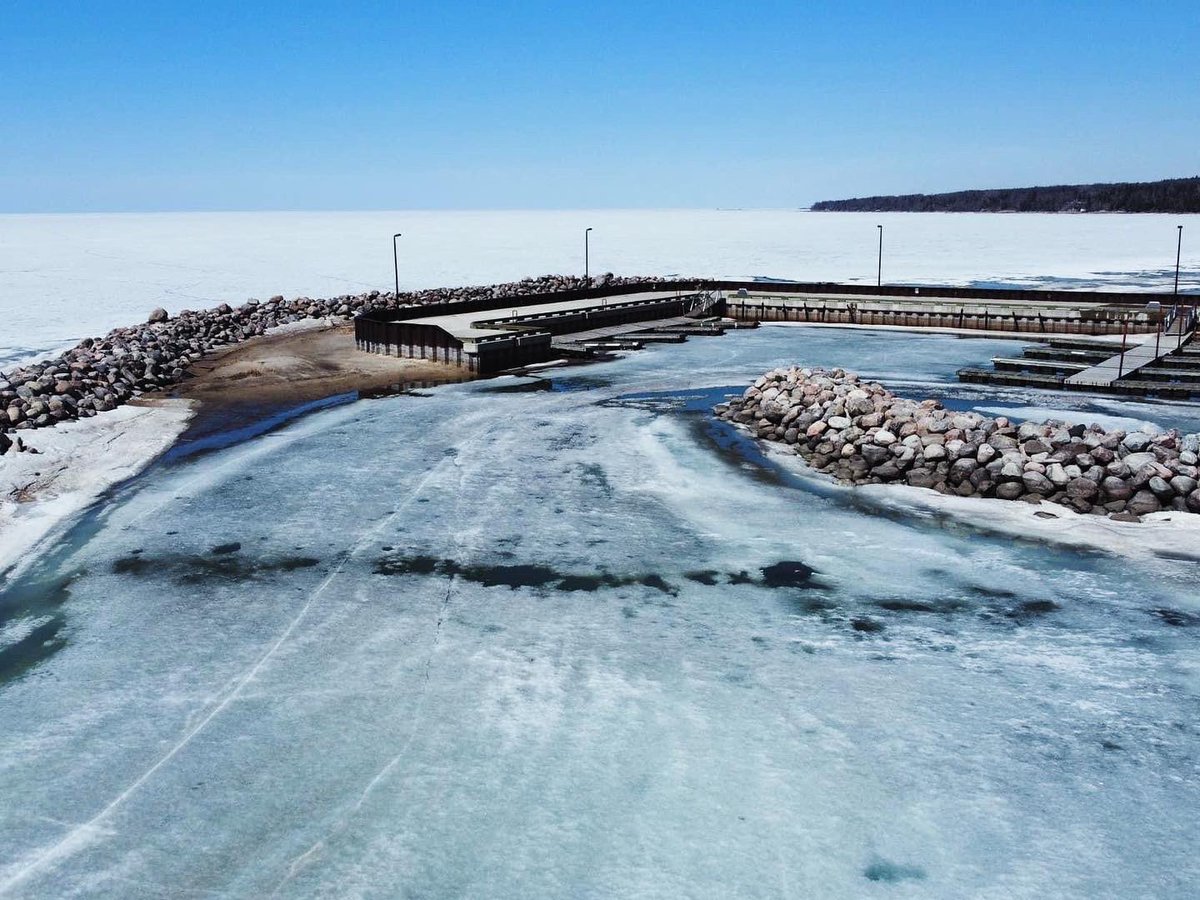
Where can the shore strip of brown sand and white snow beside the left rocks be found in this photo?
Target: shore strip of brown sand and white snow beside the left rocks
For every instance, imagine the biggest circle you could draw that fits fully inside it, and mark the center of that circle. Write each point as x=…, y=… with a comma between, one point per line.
x=77, y=461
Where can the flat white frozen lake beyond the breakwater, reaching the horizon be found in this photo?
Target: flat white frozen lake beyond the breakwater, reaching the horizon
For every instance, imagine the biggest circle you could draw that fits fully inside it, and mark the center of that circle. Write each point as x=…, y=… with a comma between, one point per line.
x=64, y=278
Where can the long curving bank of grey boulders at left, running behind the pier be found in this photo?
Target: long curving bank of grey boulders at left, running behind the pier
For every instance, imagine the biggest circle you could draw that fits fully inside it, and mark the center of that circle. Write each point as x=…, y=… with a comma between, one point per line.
x=103, y=374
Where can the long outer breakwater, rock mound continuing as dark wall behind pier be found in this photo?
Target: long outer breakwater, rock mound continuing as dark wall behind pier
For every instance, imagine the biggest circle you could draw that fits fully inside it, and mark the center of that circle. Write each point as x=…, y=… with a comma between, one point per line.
x=104, y=373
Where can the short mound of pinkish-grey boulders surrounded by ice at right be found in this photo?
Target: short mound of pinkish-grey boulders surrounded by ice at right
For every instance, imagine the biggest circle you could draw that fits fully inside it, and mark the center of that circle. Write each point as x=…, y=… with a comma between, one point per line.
x=862, y=434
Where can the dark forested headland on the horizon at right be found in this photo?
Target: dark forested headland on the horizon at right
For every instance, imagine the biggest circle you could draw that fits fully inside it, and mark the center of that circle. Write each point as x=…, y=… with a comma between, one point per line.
x=1175, y=195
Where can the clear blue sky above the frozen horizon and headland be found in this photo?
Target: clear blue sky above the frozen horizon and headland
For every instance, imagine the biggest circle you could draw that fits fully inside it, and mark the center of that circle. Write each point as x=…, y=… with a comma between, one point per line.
x=221, y=106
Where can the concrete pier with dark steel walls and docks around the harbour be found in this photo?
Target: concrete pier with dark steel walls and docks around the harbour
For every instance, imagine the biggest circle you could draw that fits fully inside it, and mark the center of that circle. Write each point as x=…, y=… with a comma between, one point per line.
x=497, y=334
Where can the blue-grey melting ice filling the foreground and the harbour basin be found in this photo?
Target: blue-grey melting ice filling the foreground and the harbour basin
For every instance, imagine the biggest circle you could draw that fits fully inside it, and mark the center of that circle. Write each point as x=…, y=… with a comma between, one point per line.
x=560, y=638
